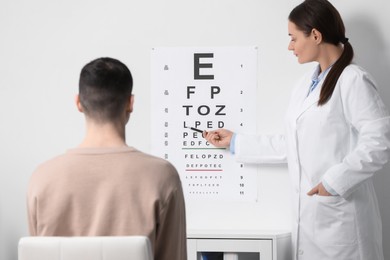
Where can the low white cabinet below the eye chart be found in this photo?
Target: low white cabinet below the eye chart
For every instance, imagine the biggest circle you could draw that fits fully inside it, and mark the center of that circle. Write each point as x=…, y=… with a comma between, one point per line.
x=240, y=244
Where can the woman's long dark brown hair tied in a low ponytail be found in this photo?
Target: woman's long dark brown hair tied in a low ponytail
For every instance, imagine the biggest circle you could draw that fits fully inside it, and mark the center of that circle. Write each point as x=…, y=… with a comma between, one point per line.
x=324, y=17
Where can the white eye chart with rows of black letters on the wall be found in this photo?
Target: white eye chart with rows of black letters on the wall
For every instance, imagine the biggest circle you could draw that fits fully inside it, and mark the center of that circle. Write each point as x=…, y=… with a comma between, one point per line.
x=206, y=89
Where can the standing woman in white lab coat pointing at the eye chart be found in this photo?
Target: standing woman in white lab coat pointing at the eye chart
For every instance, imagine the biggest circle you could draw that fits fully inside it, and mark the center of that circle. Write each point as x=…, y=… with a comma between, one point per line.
x=337, y=136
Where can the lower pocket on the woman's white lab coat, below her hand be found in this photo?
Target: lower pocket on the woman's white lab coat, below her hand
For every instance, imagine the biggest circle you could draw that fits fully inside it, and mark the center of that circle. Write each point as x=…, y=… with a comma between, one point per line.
x=334, y=221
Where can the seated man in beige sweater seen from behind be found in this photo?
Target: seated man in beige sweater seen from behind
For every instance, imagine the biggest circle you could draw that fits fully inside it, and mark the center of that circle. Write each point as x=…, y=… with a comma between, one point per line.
x=104, y=187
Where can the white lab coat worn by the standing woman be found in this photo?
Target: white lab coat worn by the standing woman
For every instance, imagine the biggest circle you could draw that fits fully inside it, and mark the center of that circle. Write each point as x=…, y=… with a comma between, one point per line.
x=343, y=142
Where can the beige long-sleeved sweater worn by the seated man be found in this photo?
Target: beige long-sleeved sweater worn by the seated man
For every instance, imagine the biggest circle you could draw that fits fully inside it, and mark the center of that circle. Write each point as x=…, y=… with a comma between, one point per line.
x=109, y=192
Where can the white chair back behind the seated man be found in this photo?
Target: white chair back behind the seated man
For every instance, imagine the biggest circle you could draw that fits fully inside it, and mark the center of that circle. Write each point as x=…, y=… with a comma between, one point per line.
x=85, y=248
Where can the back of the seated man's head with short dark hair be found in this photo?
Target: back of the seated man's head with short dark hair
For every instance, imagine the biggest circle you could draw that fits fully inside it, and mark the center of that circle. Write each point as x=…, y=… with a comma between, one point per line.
x=104, y=89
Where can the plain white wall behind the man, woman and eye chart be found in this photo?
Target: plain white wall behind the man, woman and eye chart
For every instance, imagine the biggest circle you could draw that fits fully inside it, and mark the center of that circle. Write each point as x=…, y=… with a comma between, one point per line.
x=44, y=44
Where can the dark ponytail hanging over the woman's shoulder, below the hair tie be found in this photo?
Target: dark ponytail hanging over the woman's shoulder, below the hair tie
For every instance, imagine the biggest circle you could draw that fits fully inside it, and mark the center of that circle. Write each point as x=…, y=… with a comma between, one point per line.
x=335, y=72
